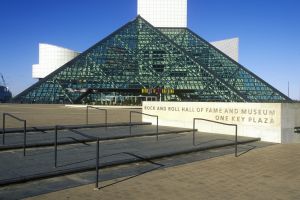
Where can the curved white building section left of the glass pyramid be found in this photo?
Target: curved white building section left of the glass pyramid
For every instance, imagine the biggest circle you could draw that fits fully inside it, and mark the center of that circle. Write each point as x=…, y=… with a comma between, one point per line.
x=51, y=58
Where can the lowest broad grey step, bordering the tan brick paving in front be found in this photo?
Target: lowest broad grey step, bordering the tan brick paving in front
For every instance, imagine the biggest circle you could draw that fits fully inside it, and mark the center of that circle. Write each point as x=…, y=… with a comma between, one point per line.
x=38, y=164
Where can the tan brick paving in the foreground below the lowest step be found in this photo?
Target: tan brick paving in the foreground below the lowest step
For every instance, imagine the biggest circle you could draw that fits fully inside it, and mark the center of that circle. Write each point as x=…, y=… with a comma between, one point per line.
x=267, y=173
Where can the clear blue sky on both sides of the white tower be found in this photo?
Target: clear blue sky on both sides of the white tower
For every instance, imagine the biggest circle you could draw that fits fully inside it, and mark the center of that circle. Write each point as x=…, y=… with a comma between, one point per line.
x=269, y=32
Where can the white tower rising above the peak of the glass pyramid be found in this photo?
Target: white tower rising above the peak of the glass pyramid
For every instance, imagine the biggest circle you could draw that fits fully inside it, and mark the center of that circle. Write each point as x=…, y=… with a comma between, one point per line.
x=164, y=13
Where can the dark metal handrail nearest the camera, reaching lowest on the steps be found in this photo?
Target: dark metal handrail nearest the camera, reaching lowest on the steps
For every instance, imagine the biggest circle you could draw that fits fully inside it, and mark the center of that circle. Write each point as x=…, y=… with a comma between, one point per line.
x=60, y=127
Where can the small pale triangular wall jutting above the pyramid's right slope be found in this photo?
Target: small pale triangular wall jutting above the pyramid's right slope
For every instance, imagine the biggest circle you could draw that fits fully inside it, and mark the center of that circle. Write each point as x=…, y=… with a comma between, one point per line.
x=229, y=46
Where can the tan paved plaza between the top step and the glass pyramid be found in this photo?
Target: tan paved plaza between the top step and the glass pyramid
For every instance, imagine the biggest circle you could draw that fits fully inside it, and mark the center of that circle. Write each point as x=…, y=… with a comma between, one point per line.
x=50, y=115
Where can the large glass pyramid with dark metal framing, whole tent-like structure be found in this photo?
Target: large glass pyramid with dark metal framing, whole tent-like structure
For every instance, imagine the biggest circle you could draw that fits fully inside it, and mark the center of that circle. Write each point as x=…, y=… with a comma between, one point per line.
x=139, y=57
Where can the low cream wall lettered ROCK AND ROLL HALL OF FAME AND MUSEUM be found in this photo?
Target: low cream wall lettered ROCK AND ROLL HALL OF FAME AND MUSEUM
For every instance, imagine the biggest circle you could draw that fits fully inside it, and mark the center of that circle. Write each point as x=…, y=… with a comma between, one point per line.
x=272, y=122
